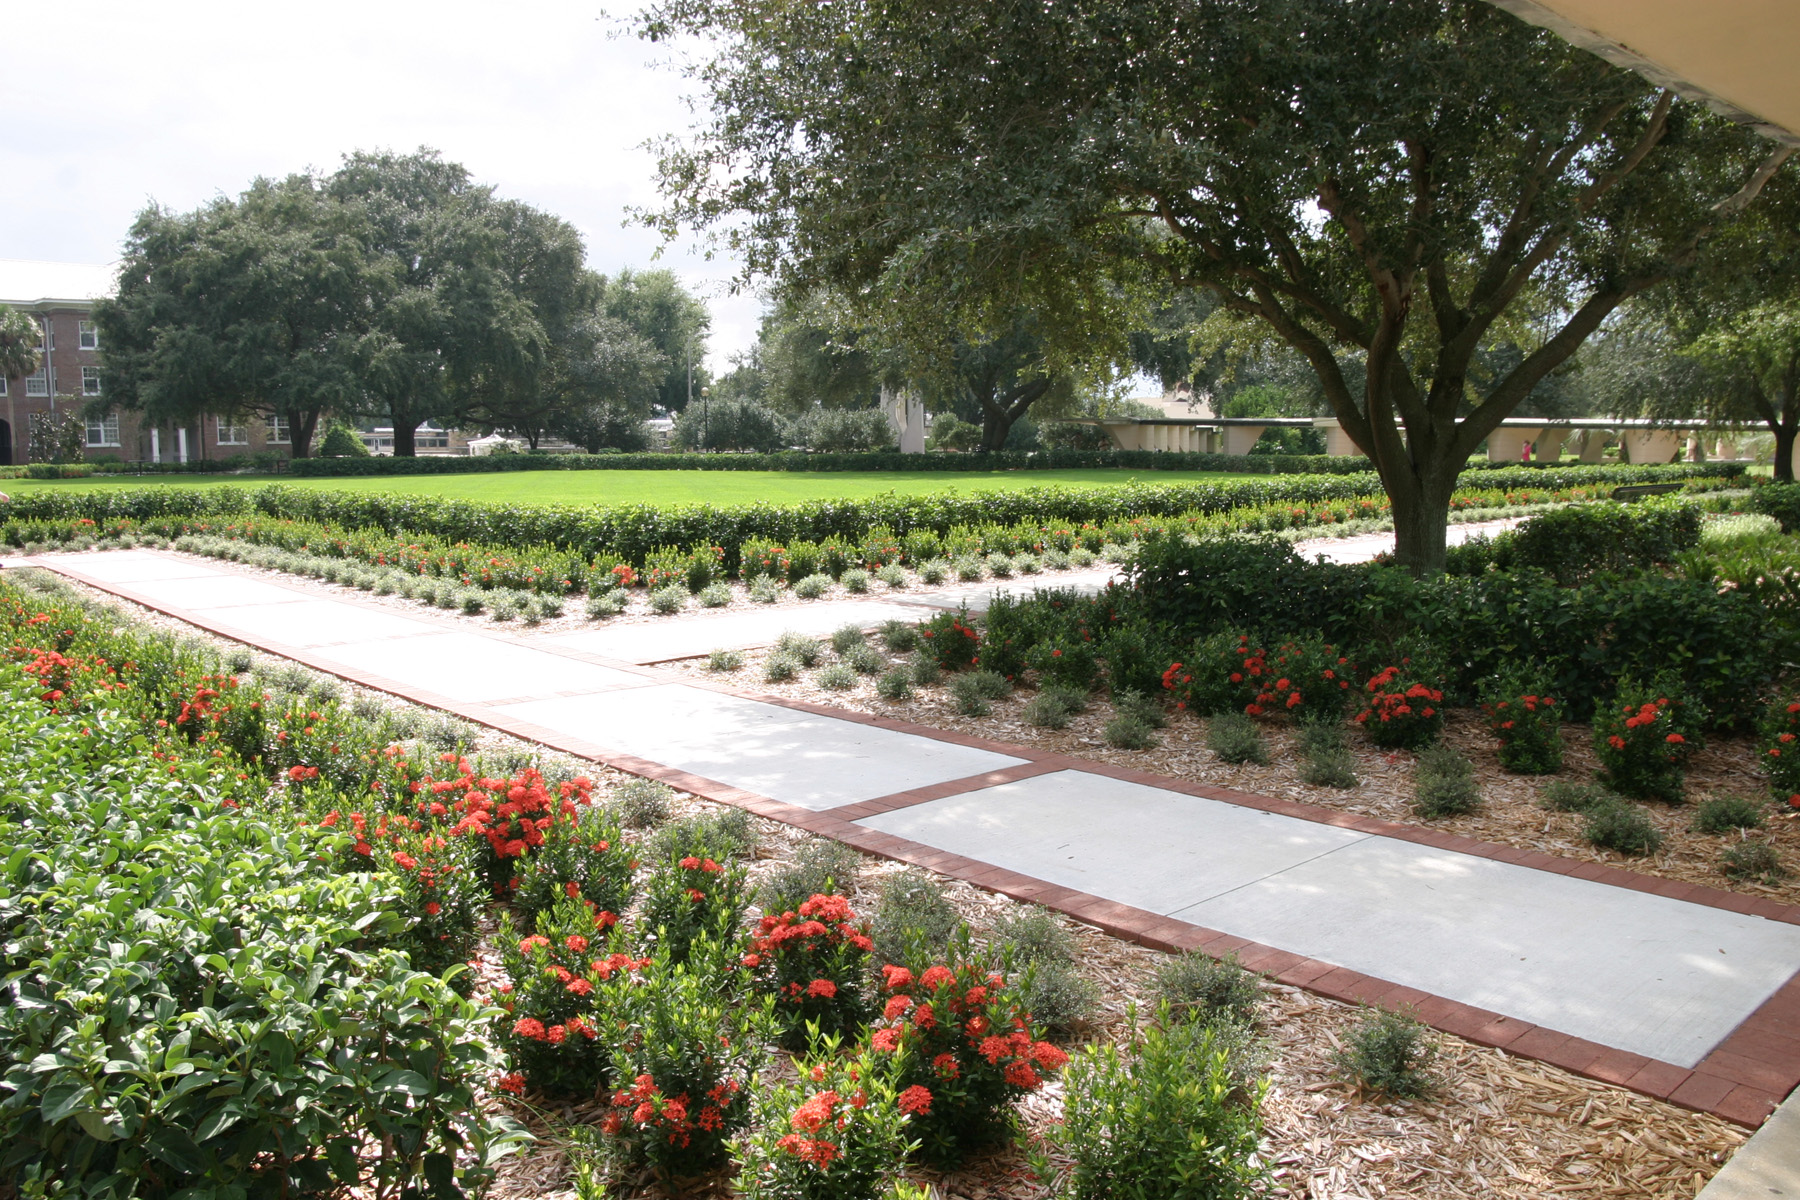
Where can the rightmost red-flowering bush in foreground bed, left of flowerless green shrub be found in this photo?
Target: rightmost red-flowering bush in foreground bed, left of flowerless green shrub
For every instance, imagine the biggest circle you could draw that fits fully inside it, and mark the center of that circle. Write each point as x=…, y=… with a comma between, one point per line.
x=964, y=1053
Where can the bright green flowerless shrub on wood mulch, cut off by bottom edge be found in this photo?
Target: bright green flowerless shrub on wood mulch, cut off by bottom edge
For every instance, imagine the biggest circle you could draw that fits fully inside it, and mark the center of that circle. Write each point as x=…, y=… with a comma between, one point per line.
x=1158, y=1120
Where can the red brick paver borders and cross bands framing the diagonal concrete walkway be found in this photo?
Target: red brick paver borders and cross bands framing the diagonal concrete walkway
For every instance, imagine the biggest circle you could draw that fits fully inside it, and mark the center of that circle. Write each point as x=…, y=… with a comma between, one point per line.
x=1741, y=1080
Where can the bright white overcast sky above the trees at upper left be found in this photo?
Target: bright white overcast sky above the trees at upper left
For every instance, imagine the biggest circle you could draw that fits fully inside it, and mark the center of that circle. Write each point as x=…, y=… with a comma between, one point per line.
x=114, y=105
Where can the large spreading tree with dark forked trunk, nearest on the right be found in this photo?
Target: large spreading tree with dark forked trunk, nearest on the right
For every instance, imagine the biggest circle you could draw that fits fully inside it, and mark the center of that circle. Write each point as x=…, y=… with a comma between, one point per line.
x=1380, y=183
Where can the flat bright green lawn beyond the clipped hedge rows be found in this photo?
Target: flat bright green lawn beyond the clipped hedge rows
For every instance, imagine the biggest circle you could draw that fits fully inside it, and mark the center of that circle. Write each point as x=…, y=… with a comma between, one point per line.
x=654, y=487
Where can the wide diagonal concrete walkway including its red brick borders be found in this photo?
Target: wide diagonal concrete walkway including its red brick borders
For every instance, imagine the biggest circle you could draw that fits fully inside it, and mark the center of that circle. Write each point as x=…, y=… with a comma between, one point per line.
x=1675, y=990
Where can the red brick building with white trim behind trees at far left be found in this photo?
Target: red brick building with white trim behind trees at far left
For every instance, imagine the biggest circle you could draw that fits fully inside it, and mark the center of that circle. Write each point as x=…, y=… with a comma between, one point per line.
x=60, y=296
